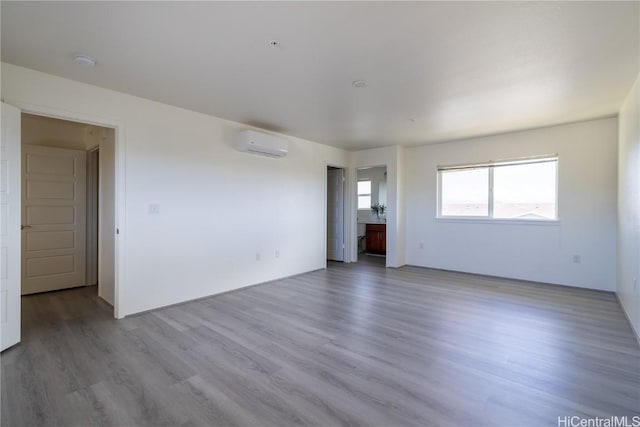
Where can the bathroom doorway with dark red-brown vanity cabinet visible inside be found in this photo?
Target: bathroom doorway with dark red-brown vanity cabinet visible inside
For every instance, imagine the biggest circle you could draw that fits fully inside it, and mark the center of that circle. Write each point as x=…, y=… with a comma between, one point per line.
x=371, y=193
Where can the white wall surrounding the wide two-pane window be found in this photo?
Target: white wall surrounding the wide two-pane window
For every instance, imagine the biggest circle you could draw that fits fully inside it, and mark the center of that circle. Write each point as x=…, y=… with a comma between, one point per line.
x=540, y=252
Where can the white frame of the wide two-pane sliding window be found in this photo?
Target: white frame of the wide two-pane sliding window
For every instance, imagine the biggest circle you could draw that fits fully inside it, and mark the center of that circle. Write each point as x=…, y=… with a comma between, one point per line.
x=491, y=165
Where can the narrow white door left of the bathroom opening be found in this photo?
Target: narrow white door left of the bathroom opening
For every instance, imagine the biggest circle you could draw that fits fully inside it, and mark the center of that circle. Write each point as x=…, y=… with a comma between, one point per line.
x=335, y=214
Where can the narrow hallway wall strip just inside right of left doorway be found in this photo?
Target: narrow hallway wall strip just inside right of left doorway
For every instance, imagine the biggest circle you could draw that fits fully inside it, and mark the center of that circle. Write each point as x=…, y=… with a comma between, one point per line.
x=107, y=216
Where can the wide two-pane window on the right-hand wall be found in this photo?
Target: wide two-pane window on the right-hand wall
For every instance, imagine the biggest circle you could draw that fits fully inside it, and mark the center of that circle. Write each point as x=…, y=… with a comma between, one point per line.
x=518, y=189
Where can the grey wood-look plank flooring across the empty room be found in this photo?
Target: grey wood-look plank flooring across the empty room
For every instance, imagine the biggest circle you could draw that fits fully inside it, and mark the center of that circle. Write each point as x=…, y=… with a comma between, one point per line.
x=356, y=344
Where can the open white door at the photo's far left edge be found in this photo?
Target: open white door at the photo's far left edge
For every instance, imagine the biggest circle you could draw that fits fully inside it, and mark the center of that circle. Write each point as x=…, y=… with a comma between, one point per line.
x=10, y=227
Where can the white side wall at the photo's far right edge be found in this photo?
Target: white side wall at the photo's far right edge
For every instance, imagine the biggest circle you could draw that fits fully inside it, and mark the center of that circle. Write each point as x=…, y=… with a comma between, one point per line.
x=628, y=289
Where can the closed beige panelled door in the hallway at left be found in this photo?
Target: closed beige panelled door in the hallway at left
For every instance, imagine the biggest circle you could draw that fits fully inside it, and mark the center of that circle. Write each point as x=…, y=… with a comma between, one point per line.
x=53, y=218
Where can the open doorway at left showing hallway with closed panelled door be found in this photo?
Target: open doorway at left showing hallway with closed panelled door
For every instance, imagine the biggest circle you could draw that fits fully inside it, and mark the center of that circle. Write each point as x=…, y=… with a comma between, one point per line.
x=68, y=206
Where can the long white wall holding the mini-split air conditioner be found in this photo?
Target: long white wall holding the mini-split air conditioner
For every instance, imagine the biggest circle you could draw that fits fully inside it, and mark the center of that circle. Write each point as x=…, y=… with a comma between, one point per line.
x=218, y=208
